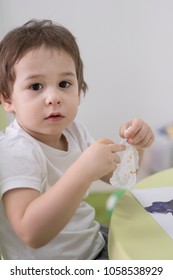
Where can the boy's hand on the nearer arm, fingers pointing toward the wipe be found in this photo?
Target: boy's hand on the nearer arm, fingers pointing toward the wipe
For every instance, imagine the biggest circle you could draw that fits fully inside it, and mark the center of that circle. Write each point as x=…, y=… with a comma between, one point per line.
x=100, y=159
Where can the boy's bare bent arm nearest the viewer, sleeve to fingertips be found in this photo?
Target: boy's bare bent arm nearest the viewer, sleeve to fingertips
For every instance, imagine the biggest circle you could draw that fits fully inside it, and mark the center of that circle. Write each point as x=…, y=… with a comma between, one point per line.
x=38, y=218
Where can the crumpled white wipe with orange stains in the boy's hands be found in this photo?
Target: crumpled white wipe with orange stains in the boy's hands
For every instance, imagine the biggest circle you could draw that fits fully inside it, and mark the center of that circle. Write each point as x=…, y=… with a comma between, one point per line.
x=125, y=174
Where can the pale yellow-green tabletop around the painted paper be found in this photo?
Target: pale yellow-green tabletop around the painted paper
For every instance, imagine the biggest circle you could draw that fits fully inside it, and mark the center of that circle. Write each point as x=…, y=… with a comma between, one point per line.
x=120, y=241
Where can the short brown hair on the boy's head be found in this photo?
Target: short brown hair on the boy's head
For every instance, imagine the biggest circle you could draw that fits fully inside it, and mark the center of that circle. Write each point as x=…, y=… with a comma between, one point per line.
x=32, y=35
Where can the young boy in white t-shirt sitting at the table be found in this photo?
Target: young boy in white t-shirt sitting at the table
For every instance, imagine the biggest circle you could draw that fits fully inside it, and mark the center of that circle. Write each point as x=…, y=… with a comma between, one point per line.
x=48, y=160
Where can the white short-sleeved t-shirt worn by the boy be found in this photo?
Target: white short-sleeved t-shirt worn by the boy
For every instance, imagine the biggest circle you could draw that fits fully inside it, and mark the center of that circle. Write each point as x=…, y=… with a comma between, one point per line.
x=26, y=162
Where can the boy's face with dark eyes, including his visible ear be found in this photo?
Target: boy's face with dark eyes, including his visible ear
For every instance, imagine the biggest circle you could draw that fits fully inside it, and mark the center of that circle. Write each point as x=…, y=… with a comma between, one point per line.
x=45, y=94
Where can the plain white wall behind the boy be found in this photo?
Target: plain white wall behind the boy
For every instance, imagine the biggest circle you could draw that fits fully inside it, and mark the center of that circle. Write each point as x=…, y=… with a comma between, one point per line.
x=127, y=49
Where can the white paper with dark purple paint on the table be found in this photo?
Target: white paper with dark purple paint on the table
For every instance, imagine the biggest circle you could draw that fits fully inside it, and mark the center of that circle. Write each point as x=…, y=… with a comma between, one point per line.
x=159, y=203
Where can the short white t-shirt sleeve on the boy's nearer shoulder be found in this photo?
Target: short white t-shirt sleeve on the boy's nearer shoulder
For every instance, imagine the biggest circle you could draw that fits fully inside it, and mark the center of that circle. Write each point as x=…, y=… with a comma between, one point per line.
x=21, y=164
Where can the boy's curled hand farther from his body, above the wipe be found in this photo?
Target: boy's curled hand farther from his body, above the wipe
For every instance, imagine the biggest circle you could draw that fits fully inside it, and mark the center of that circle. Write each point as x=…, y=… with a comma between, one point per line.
x=138, y=133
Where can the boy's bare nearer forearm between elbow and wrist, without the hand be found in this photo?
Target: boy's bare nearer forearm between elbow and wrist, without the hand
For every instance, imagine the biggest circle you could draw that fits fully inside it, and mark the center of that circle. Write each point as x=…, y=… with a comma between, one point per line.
x=47, y=215
